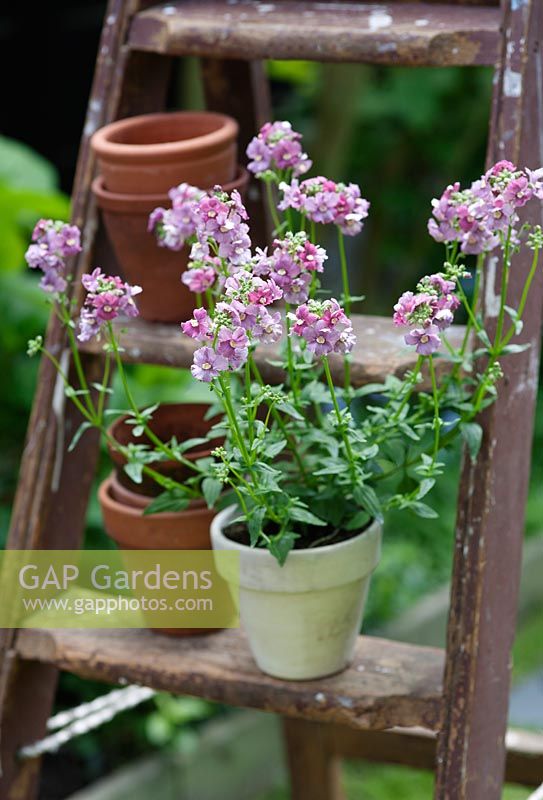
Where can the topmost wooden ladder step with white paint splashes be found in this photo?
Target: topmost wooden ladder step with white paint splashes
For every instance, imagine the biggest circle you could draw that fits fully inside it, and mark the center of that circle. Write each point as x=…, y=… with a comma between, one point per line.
x=405, y=33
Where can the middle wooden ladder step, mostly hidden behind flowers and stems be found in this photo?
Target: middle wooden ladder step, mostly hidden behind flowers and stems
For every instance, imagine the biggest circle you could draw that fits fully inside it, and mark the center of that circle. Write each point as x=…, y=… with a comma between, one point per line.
x=380, y=349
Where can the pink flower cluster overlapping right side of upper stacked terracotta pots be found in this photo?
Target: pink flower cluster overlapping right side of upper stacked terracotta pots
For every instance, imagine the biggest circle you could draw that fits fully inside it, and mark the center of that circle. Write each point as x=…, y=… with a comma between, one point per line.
x=173, y=226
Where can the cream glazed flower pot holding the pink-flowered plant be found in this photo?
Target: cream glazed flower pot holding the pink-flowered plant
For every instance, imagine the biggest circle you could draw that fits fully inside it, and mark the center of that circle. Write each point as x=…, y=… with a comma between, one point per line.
x=302, y=619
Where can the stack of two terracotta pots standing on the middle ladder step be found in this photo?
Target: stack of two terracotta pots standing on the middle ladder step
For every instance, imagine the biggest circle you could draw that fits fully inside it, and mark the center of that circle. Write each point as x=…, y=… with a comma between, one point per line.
x=140, y=159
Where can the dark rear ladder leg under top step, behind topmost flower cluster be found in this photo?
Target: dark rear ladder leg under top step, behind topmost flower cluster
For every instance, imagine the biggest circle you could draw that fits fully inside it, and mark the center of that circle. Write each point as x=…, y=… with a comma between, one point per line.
x=241, y=89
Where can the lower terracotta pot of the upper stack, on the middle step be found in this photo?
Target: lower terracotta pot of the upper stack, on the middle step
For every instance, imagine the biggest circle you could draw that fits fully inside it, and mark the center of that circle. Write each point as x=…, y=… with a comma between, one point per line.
x=156, y=269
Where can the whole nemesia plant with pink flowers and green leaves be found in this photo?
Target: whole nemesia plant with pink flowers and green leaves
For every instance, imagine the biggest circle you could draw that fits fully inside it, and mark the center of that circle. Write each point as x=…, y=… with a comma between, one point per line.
x=314, y=459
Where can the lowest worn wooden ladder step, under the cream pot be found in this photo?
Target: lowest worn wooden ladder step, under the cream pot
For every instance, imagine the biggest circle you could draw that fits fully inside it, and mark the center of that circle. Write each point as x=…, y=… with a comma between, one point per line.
x=388, y=684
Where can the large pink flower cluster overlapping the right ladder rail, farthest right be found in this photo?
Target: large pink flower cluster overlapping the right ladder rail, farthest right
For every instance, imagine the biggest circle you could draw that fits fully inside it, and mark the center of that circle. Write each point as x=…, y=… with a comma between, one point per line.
x=478, y=218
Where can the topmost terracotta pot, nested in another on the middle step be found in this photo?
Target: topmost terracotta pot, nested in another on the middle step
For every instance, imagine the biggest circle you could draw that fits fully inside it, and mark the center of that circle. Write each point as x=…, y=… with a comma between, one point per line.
x=149, y=154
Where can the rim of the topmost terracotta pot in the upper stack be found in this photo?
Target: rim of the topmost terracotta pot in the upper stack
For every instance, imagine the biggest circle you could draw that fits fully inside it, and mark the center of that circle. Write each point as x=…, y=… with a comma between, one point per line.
x=105, y=141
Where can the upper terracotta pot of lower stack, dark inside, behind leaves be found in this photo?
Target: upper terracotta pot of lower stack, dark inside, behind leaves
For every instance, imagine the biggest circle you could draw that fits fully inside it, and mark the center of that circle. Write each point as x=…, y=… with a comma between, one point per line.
x=182, y=420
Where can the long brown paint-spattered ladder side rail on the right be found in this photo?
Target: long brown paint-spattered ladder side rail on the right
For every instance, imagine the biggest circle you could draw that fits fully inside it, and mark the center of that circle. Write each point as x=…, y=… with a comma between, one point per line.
x=493, y=491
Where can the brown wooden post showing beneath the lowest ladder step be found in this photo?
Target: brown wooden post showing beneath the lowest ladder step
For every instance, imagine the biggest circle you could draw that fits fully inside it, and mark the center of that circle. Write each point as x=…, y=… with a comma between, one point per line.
x=314, y=768
